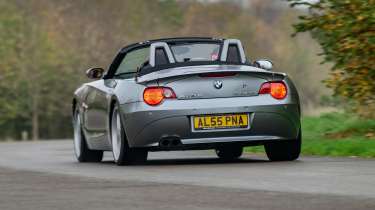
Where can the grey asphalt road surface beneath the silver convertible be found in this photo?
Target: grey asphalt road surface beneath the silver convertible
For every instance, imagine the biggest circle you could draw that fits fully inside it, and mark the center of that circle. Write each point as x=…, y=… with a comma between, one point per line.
x=44, y=175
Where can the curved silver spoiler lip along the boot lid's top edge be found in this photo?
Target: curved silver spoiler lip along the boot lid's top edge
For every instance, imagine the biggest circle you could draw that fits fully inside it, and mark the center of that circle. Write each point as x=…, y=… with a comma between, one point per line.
x=191, y=70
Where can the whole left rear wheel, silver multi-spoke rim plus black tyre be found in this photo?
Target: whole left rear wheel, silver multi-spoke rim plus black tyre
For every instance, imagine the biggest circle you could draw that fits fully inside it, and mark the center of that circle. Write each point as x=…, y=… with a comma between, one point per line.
x=122, y=153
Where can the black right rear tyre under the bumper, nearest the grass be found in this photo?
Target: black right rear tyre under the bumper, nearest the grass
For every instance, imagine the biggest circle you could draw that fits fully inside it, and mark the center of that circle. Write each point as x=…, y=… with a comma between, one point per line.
x=284, y=150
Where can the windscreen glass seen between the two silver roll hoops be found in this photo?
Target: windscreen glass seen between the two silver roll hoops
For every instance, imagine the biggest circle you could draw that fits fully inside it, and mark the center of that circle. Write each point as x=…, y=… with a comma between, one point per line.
x=196, y=52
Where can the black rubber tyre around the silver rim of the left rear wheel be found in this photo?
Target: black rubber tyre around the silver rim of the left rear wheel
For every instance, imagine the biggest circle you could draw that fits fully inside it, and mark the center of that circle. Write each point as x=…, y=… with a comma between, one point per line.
x=126, y=155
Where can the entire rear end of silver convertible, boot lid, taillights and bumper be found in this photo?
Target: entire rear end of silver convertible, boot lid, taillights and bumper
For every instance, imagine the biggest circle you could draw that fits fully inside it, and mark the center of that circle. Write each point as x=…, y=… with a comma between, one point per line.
x=206, y=107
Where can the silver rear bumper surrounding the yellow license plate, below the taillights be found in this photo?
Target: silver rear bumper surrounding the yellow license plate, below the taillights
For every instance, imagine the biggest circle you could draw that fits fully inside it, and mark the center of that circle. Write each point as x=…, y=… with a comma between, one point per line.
x=270, y=120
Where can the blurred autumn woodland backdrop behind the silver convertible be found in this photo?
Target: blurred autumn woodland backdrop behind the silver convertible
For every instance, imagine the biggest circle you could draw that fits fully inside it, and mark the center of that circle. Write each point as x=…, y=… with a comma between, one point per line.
x=46, y=46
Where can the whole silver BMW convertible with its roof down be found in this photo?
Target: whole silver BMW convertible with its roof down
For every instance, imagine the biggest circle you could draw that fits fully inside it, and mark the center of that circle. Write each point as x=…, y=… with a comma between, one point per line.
x=184, y=94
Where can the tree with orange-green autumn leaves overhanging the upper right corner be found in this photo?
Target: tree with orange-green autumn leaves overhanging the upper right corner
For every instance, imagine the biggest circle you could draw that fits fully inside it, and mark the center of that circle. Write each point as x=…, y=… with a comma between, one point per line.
x=345, y=29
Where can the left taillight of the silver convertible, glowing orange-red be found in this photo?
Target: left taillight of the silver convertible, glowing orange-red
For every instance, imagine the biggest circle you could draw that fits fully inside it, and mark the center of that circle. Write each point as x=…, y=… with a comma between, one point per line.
x=155, y=95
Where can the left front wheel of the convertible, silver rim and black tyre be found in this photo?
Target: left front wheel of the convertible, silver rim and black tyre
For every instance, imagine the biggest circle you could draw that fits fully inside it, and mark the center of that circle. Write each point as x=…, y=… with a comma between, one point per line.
x=82, y=151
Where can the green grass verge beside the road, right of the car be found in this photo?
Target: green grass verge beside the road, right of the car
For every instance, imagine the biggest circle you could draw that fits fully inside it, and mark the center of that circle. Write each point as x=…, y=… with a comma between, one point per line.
x=335, y=134
